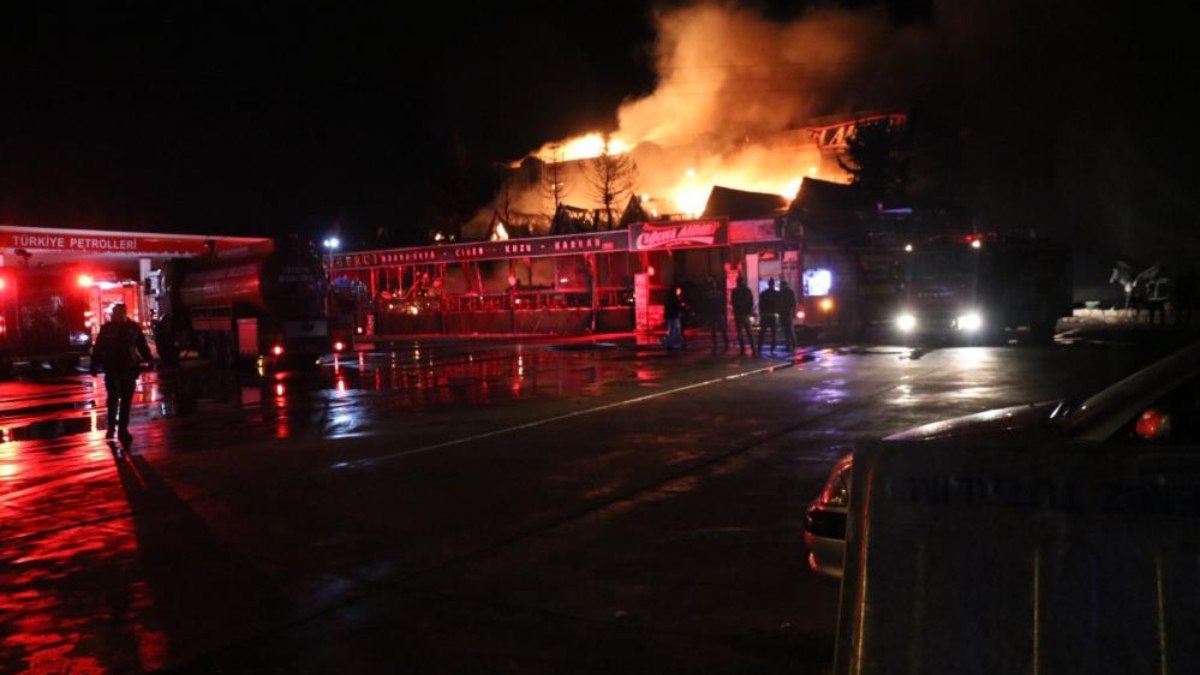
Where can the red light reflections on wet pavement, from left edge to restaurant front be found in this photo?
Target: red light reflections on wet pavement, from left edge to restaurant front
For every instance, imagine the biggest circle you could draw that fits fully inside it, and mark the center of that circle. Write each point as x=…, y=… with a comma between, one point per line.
x=75, y=507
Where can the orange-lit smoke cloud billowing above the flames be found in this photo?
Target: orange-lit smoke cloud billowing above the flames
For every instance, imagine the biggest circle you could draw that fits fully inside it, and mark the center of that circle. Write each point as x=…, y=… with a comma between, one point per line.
x=728, y=73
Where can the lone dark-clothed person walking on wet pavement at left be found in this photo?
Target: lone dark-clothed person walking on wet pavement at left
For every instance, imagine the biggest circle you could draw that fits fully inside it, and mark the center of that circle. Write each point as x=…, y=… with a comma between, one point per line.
x=119, y=351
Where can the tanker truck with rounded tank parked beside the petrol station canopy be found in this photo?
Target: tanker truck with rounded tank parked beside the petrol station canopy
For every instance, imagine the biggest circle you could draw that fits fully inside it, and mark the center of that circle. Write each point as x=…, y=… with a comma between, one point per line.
x=244, y=308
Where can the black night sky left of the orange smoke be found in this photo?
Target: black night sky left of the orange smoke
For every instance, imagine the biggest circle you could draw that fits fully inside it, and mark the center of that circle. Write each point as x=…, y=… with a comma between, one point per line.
x=259, y=117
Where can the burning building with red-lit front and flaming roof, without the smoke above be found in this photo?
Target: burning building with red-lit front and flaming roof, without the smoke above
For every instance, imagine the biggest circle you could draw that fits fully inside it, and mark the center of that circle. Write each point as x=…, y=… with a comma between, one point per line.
x=560, y=255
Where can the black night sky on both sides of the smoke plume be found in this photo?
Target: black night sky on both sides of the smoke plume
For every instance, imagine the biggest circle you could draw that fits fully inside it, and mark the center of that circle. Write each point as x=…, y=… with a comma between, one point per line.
x=263, y=118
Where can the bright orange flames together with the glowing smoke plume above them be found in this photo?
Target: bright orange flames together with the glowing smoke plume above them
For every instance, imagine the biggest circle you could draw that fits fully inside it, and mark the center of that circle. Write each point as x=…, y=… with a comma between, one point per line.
x=735, y=97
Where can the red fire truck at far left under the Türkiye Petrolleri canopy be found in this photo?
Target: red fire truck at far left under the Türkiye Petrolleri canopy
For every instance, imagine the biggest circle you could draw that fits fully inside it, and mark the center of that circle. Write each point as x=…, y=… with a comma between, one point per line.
x=46, y=316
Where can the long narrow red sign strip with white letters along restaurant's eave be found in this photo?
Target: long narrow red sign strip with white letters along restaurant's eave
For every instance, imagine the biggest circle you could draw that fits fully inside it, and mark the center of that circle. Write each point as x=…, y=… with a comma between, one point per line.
x=529, y=248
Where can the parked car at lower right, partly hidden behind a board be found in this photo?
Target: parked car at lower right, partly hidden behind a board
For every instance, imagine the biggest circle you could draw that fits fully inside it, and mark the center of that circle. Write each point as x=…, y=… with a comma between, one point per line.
x=1160, y=404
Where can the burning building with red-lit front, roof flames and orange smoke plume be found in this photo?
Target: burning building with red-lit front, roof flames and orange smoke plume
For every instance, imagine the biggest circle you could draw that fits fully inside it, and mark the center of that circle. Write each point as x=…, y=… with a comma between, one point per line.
x=694, y=181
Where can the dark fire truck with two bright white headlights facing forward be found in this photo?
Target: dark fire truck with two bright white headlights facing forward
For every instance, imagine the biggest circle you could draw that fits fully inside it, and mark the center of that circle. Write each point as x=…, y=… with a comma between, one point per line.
x=975, y=288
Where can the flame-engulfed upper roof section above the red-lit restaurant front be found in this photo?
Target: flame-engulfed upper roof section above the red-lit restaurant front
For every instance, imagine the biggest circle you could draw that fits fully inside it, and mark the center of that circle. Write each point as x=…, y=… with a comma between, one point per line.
x=562, y=187
